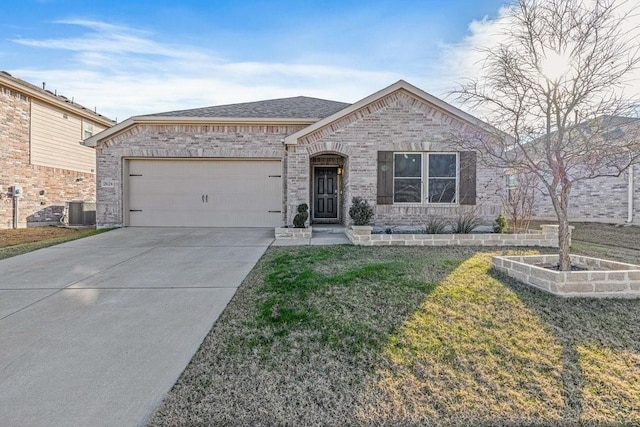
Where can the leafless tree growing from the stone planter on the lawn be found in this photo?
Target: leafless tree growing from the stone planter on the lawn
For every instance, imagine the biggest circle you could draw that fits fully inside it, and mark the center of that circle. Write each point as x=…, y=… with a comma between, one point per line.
x=556, y=85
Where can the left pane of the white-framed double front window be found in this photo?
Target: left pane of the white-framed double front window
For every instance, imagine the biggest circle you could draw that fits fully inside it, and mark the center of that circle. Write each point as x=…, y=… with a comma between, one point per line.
x=407, y=178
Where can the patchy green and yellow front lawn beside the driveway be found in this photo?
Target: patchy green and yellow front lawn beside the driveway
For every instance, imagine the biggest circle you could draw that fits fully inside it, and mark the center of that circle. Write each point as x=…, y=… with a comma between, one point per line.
x=407, y=336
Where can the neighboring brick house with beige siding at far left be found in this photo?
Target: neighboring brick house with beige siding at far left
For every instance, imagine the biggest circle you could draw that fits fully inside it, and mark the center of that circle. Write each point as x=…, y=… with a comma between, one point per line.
x=43, y=164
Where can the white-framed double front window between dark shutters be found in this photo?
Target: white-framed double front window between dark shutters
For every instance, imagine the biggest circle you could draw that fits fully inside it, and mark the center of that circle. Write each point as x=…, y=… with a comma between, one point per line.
x=432, y=174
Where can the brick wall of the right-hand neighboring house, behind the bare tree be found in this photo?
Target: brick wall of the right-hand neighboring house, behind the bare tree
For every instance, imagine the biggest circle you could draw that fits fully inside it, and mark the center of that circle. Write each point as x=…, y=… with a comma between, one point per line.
x=603, y=199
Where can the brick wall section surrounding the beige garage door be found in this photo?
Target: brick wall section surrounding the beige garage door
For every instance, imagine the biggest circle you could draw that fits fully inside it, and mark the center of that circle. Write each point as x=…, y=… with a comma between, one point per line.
x=171, y=141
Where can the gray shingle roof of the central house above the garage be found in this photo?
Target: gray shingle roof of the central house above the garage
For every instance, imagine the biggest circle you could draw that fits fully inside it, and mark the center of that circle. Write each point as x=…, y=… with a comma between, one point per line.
x=299, y=107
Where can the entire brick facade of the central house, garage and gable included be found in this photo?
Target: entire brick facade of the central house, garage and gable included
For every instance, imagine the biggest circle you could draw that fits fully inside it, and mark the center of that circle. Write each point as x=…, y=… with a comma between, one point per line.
x=398, y=121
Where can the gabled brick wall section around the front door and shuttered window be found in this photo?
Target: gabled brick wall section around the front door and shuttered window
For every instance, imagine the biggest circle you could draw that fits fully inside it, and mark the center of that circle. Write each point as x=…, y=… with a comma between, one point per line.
x=397, y=122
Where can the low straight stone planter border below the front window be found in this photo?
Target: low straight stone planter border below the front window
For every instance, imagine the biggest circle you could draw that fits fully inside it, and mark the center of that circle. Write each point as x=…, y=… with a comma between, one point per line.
x=546, y=237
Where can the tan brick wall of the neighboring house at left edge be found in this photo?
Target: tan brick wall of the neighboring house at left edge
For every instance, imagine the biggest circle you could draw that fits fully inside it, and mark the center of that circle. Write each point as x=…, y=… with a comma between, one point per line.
x=56, y=185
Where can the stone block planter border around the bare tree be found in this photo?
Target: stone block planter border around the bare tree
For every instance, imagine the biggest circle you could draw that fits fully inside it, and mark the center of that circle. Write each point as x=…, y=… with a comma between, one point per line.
x=604, y=279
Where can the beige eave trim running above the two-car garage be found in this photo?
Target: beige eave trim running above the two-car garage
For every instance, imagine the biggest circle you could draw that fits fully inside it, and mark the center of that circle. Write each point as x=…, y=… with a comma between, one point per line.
x=181, y=120
